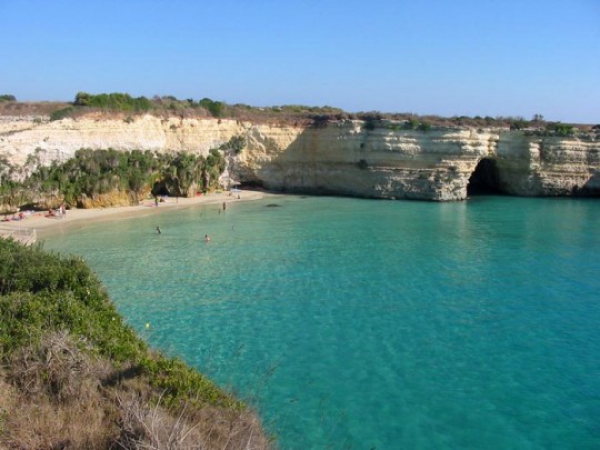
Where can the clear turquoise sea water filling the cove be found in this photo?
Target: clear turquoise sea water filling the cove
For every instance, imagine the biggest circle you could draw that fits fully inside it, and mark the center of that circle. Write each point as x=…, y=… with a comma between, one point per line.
x=364, y=324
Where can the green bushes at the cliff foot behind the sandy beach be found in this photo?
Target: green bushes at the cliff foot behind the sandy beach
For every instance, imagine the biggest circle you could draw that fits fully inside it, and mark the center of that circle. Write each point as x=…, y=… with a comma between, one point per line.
x=93, y=172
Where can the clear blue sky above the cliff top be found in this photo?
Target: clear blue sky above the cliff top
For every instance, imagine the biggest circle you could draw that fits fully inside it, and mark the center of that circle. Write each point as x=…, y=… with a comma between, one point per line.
x=461, y=57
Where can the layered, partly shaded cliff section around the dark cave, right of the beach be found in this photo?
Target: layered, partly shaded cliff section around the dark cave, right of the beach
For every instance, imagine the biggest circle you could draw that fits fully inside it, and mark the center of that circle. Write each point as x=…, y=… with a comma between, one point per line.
x=351, y=159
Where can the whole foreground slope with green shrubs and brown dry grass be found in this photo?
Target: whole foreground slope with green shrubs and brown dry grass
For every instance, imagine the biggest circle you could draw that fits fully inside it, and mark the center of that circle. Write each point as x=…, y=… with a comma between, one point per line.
x=74, y=375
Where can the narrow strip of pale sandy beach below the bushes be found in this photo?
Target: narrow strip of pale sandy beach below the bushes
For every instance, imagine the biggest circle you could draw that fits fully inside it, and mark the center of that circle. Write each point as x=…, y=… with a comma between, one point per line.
x=46, y=226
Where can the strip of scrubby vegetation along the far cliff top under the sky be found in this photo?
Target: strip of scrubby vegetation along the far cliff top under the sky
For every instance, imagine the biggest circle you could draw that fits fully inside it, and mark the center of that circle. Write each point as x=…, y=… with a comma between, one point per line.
x=125, y=105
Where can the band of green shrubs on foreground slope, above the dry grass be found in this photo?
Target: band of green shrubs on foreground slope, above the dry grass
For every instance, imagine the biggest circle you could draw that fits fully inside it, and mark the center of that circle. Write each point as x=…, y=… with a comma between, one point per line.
x=42, y=293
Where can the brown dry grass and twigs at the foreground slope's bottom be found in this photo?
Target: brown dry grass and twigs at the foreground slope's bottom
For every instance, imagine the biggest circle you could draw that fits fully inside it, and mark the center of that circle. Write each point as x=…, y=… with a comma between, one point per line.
x=54, y=395
